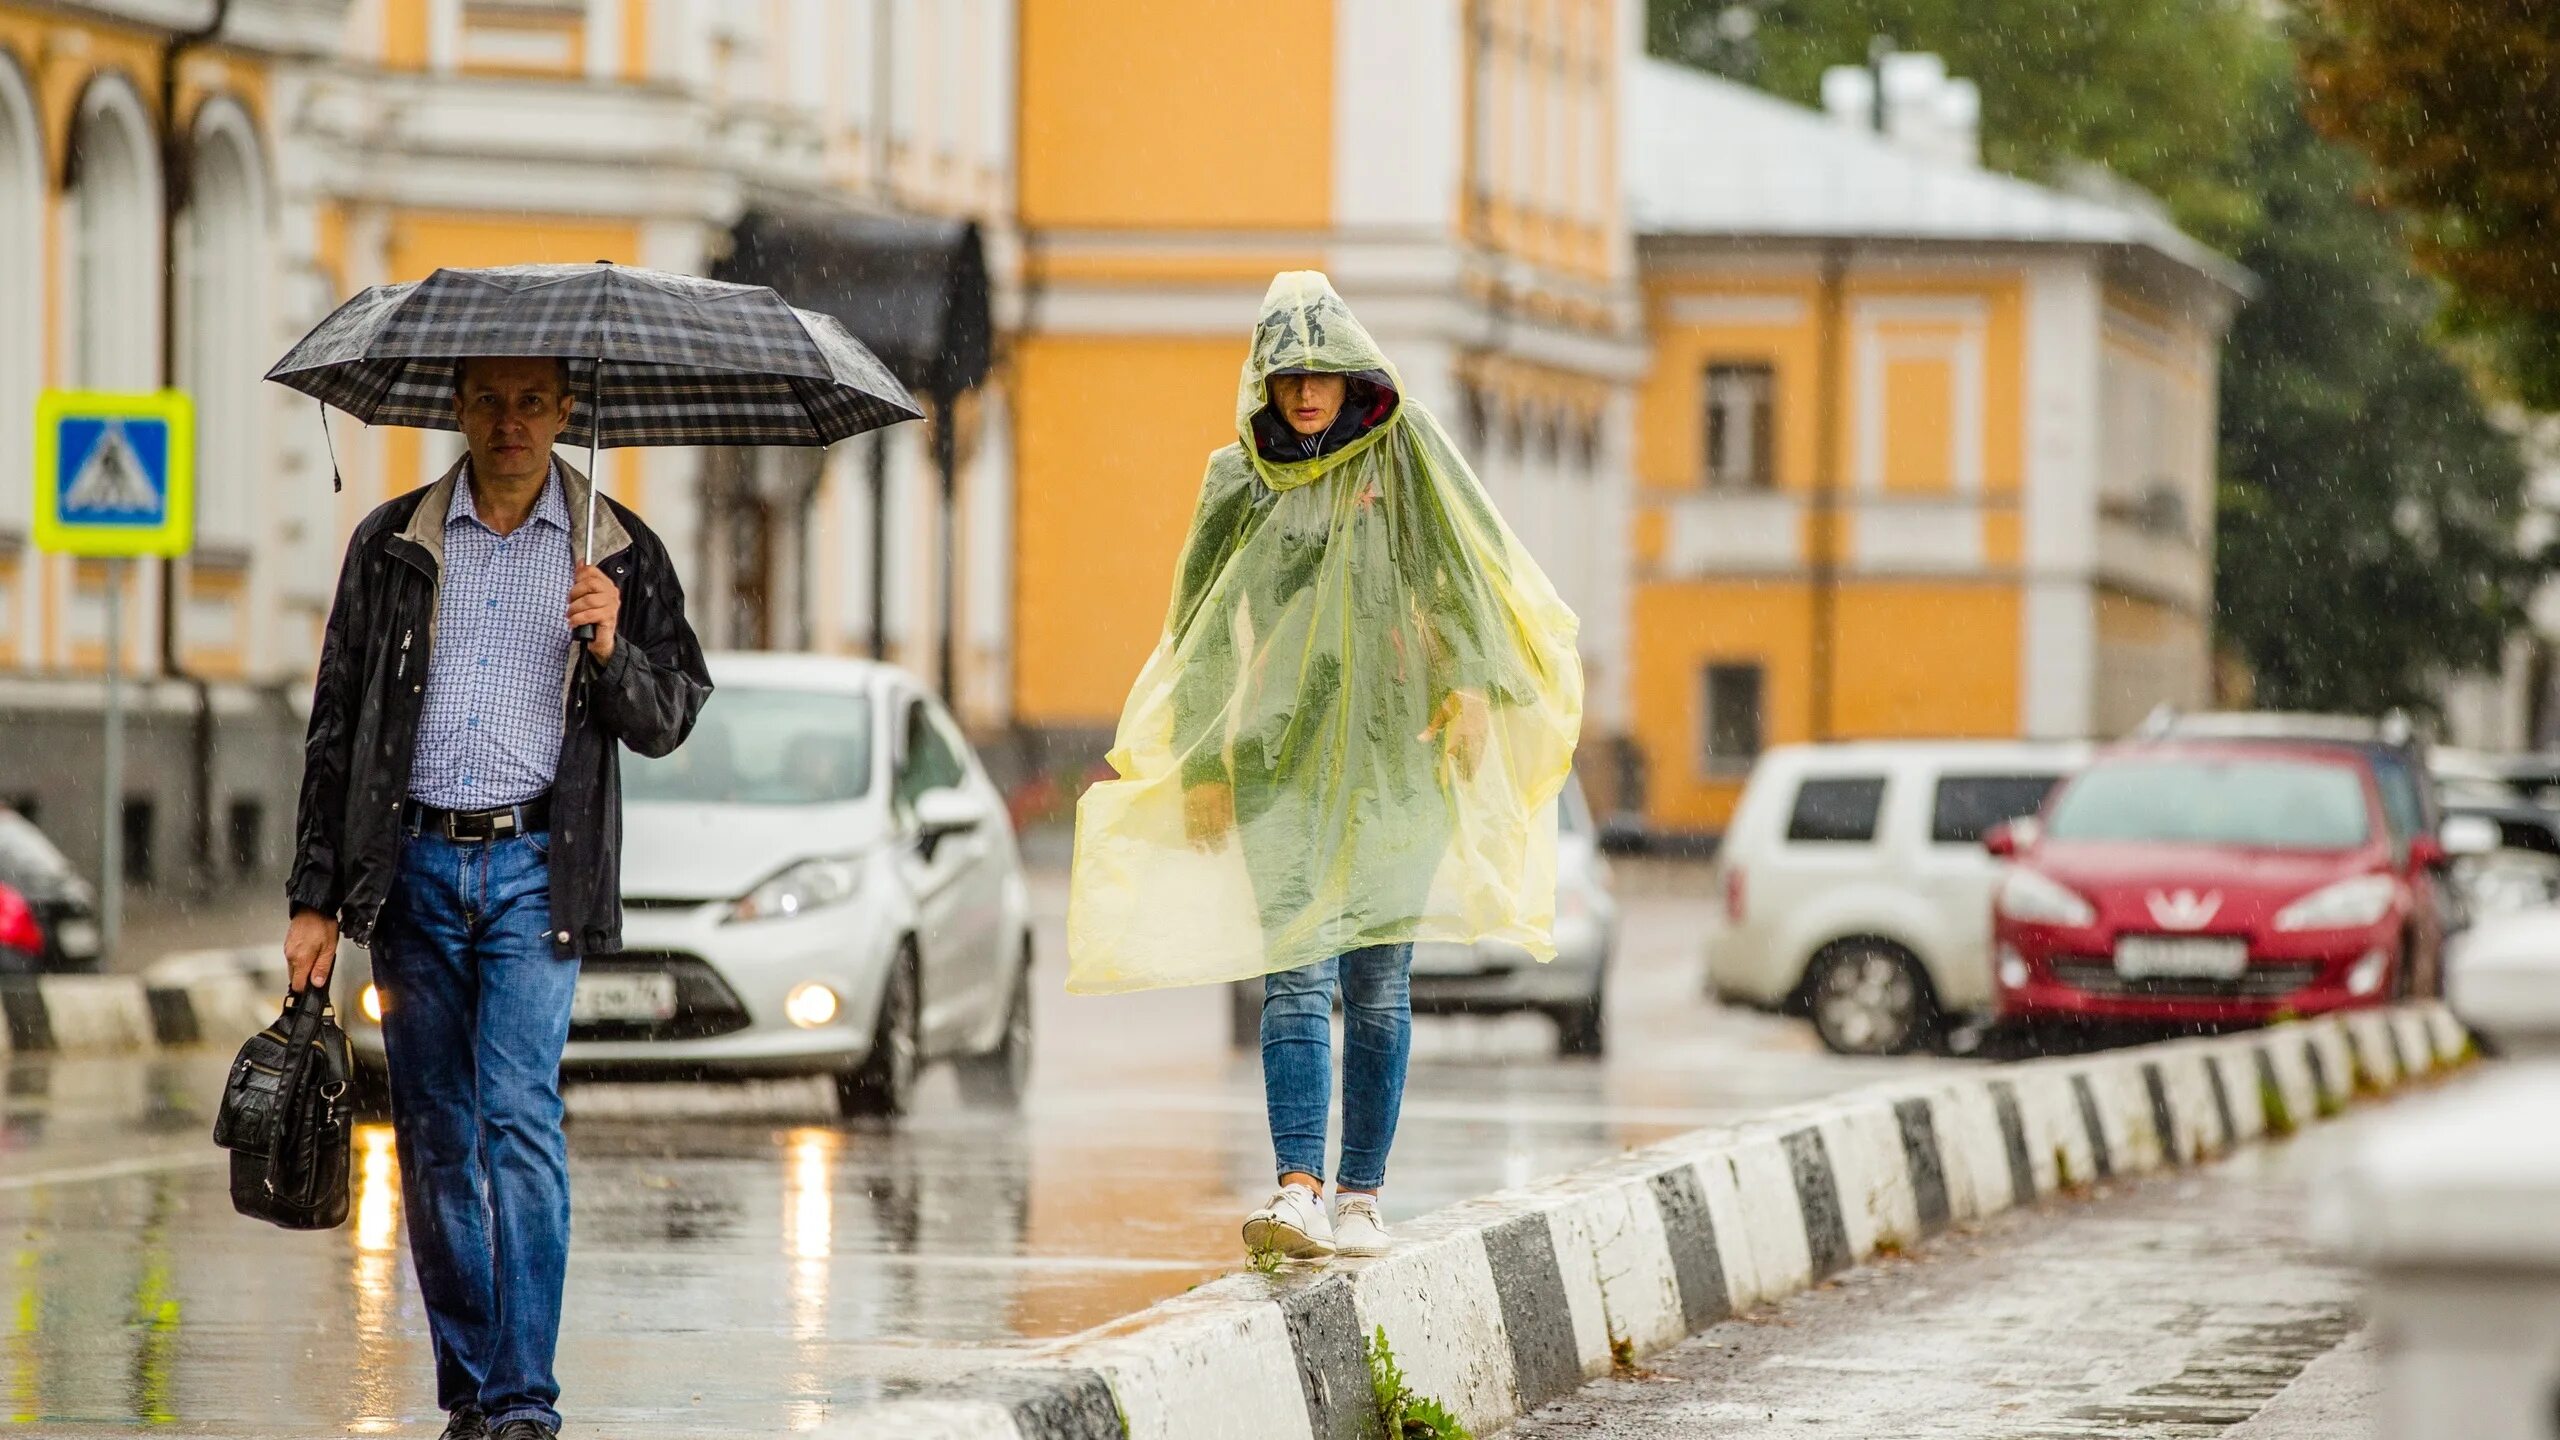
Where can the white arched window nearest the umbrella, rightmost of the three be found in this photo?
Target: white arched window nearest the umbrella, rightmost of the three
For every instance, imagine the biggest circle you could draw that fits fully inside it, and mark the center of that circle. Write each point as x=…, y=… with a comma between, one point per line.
x=221, y=324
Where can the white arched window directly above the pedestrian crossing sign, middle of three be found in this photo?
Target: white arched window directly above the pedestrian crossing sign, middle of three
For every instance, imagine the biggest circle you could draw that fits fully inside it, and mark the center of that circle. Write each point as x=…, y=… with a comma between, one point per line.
x=114, y=245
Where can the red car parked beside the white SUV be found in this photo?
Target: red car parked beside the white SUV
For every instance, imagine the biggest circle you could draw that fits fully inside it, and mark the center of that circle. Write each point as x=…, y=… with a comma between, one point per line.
x=2213, y=883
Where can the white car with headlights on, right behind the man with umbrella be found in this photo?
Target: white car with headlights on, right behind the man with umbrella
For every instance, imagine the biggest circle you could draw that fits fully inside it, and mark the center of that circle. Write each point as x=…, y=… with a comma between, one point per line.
x=820, y=880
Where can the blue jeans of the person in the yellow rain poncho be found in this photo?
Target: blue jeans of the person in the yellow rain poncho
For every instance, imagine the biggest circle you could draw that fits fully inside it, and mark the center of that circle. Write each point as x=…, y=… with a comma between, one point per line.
x=1299, y=1060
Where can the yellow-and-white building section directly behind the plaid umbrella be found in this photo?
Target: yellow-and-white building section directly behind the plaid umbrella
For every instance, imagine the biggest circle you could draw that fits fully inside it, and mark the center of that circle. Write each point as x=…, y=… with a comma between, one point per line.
x=649, y=132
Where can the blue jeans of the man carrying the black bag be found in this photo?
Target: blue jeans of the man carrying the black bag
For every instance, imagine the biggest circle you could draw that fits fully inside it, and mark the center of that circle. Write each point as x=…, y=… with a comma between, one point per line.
x=475, y=1013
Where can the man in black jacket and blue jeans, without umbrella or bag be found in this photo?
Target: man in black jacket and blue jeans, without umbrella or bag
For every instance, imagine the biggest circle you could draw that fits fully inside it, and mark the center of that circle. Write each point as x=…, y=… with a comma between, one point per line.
x=460, y=806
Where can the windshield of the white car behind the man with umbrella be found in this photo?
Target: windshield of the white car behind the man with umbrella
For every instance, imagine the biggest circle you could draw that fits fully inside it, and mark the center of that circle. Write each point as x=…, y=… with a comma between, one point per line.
x=764, y=747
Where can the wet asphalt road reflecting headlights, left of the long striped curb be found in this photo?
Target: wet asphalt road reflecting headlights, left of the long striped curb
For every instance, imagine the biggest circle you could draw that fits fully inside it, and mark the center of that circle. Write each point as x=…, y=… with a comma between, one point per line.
x=744, y=1262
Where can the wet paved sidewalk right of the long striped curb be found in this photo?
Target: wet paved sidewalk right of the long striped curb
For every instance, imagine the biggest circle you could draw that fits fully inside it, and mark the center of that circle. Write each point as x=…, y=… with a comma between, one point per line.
x=2167, y=1308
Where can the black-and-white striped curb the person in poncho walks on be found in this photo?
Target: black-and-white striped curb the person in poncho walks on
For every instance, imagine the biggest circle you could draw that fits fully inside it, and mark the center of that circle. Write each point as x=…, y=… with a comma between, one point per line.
x=1507, y=1303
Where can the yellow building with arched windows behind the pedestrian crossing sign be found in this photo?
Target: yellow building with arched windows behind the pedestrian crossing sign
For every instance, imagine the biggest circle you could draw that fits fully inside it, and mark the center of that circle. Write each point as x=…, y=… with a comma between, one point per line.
x=137, y=250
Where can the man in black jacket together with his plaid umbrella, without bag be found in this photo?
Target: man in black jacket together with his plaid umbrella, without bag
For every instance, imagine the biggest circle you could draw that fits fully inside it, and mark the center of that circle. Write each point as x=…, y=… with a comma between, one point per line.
x=495, y=639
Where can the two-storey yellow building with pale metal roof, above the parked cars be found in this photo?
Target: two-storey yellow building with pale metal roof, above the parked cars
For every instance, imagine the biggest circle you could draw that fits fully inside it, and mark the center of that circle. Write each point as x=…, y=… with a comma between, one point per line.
x=1921, y=450
